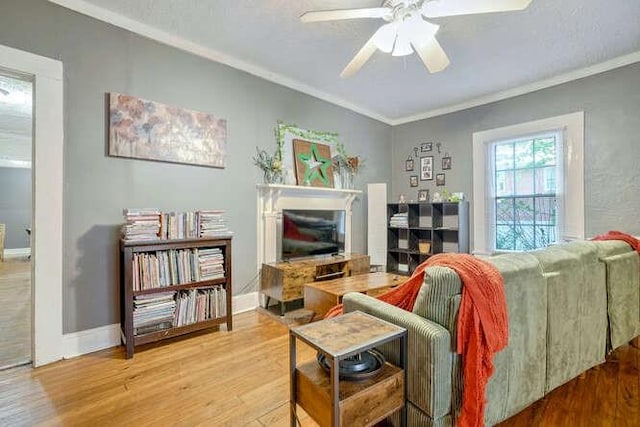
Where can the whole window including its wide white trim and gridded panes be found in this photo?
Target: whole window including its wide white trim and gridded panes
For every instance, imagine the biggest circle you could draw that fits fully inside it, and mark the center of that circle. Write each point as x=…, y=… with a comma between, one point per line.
x=528, y=189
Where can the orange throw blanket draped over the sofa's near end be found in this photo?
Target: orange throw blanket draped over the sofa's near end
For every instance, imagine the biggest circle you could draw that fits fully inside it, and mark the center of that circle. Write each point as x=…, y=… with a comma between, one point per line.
x=482, y=323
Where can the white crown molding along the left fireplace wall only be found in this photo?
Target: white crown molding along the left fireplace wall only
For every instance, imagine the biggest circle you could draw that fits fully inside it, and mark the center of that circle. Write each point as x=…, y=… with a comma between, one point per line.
x=181, y=43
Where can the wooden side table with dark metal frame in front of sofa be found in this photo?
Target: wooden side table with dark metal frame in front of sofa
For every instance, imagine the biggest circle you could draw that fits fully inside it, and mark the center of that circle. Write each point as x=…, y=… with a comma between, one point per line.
x=334, y=402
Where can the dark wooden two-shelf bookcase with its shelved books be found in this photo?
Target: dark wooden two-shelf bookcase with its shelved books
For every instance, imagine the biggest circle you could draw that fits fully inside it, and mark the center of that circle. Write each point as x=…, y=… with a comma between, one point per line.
x=173, y=287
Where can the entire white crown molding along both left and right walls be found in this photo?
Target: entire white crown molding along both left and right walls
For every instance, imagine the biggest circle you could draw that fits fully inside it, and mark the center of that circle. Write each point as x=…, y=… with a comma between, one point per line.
x=153, y=33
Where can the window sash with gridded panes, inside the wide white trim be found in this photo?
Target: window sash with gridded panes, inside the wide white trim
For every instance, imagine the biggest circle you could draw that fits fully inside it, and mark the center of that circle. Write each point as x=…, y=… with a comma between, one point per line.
x=524, y=192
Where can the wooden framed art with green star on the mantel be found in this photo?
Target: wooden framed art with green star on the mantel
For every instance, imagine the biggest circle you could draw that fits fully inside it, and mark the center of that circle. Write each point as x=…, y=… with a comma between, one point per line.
x=313, y=163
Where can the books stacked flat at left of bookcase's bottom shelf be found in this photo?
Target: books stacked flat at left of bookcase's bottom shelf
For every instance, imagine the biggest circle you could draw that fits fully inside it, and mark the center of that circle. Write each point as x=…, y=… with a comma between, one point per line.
x=153, y=312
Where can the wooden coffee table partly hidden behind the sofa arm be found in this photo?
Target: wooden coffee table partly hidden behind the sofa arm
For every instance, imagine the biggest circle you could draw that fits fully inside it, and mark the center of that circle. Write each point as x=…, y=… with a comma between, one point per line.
x=320, y=297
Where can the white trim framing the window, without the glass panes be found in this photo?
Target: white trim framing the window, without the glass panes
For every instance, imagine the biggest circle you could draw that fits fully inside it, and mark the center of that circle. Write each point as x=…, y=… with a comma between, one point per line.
x=573, y=126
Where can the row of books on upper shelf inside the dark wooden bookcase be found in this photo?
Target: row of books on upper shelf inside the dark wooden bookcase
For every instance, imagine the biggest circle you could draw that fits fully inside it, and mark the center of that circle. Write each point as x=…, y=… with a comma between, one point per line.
x=173, y=267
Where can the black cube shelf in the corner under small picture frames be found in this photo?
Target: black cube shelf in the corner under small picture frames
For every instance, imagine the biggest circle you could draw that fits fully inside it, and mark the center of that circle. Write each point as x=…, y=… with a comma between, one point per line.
x=444, y=227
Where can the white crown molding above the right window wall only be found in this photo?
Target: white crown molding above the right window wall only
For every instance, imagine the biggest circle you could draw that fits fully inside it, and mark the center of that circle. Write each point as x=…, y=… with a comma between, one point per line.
x=591, y=70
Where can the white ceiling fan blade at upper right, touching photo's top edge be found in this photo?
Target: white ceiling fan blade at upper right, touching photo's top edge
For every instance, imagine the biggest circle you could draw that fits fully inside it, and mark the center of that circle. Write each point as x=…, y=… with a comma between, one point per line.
x=438, y=8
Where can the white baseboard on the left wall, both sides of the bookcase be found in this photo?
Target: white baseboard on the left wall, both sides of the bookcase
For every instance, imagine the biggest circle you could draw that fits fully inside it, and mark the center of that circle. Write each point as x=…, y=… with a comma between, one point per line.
x=90, y=340
